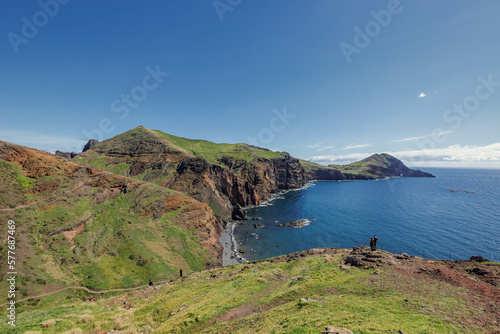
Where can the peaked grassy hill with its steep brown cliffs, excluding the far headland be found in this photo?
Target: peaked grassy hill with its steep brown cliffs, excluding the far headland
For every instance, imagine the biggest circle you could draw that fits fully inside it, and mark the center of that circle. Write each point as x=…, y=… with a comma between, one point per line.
x=223, y=176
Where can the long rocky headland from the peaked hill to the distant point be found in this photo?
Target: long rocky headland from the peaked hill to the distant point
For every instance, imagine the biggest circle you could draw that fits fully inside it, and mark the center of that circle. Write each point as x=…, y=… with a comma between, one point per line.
x=227, y=177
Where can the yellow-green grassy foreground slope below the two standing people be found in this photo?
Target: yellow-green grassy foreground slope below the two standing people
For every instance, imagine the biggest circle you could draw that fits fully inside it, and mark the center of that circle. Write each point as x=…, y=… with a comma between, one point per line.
x=262, y=297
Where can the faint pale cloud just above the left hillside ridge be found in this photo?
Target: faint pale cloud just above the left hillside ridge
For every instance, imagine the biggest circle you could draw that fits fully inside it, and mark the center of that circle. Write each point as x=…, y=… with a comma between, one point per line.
x=41, y=141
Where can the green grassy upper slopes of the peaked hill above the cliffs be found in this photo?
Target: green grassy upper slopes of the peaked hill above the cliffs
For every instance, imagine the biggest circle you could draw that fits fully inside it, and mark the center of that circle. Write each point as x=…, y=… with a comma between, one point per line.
x=154, y=156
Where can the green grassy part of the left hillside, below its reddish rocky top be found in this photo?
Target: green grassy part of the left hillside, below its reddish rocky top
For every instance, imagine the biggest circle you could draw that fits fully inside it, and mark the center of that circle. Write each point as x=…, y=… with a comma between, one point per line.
x=119, y=247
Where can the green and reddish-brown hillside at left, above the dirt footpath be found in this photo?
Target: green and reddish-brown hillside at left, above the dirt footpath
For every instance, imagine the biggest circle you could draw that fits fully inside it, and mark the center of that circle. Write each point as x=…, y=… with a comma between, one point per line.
x=79, y=226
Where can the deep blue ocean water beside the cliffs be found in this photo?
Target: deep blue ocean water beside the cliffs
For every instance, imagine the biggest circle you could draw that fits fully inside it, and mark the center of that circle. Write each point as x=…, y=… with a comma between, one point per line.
x=453, y=216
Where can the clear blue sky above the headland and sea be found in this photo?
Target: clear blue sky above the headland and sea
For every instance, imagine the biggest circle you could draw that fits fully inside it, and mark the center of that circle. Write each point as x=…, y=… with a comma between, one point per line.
x=329, y=81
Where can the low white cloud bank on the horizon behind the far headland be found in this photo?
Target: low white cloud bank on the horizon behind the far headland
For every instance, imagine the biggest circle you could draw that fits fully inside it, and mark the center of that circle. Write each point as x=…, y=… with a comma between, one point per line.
x=487, y=156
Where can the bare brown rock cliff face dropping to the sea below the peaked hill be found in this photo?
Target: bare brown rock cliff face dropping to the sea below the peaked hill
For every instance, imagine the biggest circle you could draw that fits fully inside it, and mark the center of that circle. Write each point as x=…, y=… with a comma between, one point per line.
x=242, y=184
